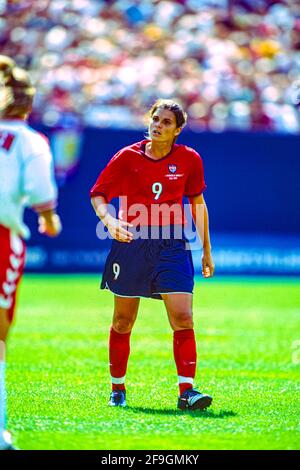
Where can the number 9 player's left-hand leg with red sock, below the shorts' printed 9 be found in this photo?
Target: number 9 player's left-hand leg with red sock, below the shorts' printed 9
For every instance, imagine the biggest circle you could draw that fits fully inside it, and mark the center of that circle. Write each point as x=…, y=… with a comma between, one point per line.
x=125, y=313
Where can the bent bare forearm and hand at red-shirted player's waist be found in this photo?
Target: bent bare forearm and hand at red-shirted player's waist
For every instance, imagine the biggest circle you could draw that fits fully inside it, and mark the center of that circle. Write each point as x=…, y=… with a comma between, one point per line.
x=116, y=227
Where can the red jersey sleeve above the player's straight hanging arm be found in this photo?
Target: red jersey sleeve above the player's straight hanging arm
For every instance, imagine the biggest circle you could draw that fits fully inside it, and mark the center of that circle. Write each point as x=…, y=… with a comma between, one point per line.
x=195, y=183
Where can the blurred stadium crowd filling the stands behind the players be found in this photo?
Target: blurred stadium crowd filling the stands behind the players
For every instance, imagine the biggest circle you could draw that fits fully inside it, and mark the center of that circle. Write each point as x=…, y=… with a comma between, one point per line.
x=232, y=64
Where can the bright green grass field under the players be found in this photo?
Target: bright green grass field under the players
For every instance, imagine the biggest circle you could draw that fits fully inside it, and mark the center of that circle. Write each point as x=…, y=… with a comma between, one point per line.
x=58, y=379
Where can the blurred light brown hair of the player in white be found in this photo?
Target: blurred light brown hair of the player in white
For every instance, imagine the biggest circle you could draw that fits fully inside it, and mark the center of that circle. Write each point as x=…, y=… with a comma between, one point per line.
x=16, y=90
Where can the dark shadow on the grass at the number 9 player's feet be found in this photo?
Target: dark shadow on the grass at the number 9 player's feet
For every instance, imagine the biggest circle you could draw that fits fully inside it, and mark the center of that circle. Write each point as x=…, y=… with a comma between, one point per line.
x=222, y=414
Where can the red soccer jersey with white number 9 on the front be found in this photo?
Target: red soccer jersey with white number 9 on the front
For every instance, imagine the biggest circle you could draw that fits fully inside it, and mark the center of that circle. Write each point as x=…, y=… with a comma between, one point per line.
x=151, y=190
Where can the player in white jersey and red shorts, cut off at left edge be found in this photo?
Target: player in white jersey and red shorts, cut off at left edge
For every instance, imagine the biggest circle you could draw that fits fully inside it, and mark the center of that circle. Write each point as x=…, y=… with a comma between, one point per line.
x=26, y=178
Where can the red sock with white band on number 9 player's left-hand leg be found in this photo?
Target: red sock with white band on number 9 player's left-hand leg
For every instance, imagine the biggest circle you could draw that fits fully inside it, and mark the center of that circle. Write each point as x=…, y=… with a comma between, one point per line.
x=119, y=349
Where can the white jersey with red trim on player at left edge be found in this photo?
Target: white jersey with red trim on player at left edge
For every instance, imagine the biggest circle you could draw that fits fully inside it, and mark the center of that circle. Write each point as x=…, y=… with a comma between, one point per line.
x=26, y=174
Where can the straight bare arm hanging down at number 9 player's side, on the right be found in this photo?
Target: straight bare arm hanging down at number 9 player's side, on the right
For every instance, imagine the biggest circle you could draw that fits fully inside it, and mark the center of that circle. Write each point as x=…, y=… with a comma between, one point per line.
x=201, y=219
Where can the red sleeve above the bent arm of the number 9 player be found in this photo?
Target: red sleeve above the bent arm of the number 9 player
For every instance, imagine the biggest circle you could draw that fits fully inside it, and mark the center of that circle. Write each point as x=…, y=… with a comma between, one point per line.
x=109, y=182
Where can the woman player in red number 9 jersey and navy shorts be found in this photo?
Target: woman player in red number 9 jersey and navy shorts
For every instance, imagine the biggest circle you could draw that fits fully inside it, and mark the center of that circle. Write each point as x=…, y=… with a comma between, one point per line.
x=149, y=255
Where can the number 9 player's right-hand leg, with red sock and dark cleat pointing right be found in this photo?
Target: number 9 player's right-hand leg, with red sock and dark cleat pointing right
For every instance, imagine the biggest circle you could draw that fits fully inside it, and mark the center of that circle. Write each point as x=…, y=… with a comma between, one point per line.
x=180, y=314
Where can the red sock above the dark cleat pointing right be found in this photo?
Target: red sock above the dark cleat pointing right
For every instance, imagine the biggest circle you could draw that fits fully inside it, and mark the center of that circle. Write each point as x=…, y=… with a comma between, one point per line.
x=185, y=356
